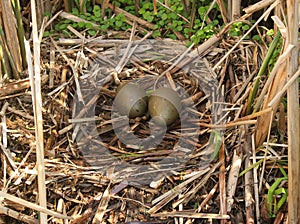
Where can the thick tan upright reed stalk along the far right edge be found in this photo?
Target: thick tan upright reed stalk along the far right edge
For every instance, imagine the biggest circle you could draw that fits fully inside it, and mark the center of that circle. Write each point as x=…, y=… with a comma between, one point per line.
x=293, y=117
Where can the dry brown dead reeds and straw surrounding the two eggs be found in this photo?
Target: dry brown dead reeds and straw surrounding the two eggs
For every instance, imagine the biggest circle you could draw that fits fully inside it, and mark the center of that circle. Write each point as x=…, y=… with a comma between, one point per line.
x=224, y=161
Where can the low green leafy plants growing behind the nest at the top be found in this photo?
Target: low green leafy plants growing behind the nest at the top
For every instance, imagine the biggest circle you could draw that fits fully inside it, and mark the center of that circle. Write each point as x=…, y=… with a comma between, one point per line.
x=195, y=23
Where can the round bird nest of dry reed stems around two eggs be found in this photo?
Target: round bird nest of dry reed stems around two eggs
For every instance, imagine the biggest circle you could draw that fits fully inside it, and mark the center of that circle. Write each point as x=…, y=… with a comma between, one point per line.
x=134, y=148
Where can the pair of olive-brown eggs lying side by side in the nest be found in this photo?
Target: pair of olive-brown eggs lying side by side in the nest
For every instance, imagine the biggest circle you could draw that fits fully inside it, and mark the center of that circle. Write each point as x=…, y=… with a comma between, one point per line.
x=163, y=104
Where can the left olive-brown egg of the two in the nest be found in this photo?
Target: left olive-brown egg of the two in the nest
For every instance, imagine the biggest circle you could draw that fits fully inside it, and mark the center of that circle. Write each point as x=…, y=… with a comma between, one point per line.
x=131, y=100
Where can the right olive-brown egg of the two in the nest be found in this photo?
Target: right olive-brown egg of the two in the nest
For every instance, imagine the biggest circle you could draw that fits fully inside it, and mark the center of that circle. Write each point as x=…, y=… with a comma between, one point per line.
x=164, y=106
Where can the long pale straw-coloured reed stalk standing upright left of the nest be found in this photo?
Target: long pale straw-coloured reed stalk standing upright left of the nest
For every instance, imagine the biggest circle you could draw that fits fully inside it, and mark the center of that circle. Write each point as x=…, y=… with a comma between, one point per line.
x=35, y=81
